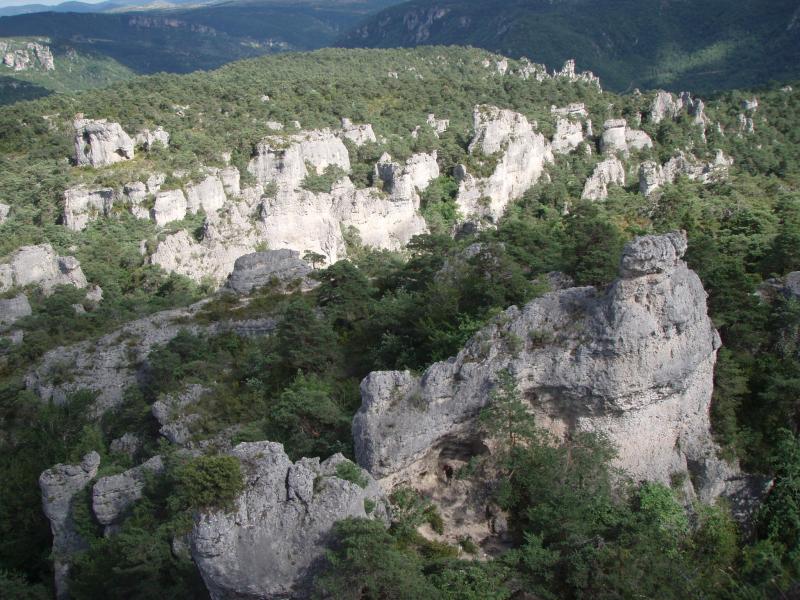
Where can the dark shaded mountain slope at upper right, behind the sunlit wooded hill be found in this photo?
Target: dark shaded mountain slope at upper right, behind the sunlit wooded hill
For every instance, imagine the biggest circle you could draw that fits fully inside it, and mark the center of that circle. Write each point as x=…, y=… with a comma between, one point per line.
x=676, y=44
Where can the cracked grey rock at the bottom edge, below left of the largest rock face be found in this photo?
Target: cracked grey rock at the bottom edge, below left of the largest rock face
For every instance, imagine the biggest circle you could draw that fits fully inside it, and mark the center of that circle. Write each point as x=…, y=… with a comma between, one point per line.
x=272, y=544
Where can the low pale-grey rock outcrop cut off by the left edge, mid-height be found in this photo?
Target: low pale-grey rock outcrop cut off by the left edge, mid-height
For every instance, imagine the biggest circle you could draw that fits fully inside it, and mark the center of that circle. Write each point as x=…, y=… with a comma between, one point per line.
x=40, y=266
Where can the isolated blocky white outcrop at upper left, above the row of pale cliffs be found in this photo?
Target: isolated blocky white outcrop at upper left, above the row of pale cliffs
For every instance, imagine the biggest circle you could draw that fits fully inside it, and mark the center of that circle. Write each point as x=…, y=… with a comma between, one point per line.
x=100, y=142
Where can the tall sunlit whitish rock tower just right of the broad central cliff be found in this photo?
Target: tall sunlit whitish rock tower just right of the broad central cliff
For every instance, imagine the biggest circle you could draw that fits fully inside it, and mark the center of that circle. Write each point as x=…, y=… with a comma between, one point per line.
x=522, y=153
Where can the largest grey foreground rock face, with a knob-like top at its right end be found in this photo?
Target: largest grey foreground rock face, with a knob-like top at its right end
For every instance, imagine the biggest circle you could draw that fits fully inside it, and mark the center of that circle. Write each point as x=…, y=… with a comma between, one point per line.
x=635, y=364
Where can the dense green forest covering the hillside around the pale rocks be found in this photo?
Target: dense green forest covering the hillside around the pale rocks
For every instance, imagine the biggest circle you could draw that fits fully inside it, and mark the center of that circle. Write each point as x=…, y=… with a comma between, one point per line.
x=580, y=531
